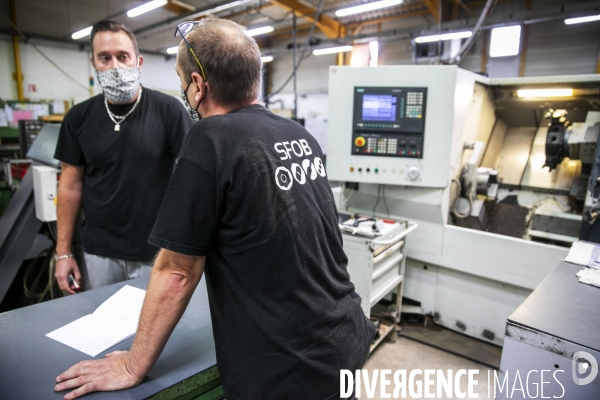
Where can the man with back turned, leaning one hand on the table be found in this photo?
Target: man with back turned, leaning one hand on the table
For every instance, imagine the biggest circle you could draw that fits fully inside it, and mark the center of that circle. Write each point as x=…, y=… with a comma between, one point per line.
x=249, y=205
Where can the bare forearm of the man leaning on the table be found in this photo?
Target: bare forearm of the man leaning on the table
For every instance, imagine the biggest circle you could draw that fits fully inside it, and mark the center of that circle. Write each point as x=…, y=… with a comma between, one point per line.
x=169, y=292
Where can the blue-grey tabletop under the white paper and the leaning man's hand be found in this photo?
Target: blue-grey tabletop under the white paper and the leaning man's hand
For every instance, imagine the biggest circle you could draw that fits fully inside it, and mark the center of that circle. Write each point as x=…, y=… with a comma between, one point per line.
x=30, y=361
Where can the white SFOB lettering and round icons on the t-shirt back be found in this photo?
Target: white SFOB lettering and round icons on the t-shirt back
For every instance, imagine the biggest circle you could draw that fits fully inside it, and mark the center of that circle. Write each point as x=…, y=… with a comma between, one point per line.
x=284, y=178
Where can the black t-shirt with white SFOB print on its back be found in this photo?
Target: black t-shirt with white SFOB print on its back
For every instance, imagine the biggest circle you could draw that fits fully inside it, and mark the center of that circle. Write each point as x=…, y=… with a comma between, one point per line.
x=250, y=192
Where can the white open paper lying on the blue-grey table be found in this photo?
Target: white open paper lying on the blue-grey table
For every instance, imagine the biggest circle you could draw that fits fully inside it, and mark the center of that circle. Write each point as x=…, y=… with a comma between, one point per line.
x=114, y=321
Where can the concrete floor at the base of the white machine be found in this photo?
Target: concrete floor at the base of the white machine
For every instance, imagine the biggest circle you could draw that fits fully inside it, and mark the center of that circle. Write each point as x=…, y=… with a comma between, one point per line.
x=409, y=355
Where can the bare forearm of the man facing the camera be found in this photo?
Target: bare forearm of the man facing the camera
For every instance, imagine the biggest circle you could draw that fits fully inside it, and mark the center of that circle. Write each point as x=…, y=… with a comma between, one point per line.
x=67, y=213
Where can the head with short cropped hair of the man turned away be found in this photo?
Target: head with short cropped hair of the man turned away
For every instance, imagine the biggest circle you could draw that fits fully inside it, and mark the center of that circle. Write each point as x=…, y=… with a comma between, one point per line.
x=230, y=58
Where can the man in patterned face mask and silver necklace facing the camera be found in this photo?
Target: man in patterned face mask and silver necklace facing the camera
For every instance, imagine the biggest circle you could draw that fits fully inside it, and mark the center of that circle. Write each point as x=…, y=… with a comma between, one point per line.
x=117, y=150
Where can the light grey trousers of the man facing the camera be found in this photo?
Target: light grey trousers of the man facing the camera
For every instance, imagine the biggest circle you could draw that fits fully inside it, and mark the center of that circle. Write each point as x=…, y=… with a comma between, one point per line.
x=104, y=271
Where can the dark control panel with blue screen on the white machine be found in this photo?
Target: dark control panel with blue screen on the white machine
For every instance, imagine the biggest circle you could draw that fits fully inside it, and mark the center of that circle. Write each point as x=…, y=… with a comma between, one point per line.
x=389, y=121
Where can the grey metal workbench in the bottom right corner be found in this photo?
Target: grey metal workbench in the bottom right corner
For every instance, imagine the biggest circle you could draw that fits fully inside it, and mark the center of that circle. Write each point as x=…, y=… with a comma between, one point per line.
x=560, y=318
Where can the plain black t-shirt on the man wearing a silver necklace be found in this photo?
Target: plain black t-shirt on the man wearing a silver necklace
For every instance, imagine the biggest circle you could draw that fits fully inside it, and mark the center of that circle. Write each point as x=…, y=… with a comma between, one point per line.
x=126, y=172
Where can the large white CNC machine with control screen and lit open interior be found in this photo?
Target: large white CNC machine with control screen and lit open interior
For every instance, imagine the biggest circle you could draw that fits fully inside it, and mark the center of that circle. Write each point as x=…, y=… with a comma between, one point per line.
x=496, y=180
